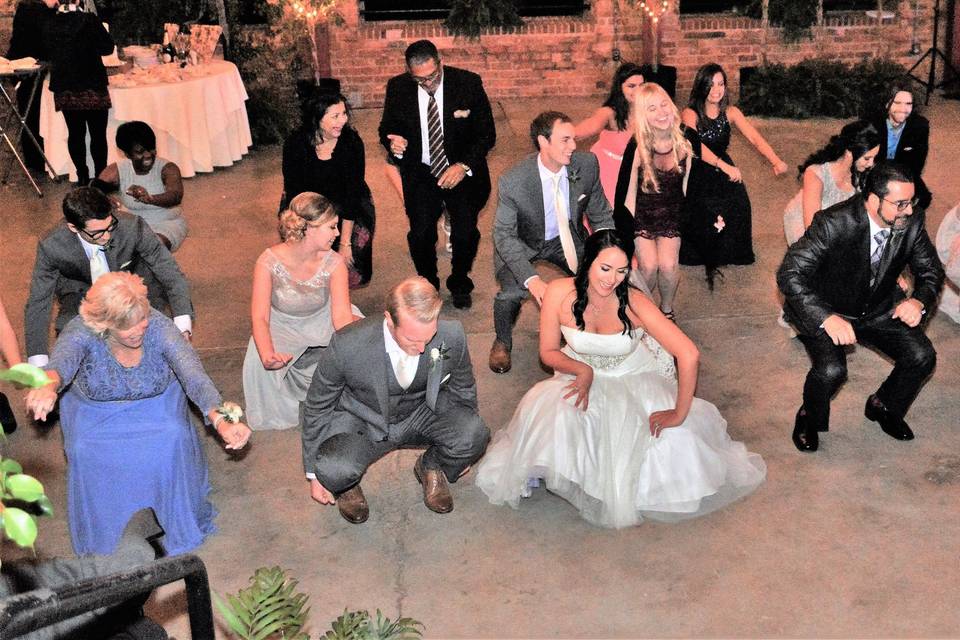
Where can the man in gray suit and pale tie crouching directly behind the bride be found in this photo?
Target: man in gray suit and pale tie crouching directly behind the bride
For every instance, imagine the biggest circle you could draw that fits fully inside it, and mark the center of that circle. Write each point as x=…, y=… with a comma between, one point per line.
x=542, y=204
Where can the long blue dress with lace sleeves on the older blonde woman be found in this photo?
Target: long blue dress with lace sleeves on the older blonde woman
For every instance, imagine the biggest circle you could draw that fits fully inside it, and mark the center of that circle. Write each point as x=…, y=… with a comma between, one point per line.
x=129, y=439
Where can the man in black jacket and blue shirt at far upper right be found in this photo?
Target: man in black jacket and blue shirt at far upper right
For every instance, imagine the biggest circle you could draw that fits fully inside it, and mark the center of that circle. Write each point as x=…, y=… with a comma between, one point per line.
x=905, y=137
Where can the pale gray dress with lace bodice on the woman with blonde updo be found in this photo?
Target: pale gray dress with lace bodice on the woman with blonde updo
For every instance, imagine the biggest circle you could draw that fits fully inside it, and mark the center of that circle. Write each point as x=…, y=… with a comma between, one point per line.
x=300, y=324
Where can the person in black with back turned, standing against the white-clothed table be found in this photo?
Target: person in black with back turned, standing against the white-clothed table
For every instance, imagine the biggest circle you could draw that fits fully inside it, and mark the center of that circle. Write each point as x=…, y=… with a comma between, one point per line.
x=75, y=42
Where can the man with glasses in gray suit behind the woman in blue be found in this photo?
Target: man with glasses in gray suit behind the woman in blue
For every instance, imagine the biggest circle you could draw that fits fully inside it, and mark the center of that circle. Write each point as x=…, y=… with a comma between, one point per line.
x=93, y=240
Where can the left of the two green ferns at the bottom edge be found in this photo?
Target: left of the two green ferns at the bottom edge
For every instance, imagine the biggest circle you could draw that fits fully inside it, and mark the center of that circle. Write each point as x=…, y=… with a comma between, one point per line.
x=268, y=608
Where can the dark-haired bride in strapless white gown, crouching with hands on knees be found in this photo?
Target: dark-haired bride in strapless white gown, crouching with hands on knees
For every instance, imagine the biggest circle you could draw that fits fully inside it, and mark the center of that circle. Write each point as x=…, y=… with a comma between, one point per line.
x=617, y=431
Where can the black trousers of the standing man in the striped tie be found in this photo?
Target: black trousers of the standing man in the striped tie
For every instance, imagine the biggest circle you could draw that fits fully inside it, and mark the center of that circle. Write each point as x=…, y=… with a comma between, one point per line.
x=424, y=202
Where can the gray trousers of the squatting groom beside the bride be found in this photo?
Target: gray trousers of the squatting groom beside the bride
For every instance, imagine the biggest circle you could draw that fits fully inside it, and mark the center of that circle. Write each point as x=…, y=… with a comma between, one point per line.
x=455, y=439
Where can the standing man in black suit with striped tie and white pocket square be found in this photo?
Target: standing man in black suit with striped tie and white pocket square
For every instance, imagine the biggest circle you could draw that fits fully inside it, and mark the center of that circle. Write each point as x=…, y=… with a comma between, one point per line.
x=442, y=159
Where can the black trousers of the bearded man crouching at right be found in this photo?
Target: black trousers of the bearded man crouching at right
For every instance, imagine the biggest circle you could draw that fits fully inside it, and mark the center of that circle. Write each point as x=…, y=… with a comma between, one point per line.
x=912, y=353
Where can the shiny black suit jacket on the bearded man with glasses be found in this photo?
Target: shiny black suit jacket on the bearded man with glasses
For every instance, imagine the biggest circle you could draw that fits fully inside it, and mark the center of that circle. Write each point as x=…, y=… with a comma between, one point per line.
x=827, y=271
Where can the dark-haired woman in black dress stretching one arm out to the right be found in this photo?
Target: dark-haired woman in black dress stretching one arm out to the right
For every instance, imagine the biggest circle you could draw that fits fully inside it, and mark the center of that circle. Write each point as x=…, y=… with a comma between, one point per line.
x=718, y=229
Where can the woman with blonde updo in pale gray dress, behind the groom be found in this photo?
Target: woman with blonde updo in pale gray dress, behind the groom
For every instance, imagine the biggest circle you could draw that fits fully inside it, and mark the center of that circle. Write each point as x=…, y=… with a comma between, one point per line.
x=300, y=297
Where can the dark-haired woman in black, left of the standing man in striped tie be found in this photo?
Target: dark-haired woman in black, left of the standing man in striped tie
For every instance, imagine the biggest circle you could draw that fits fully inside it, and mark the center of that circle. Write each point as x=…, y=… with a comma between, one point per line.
x=326, y=156
